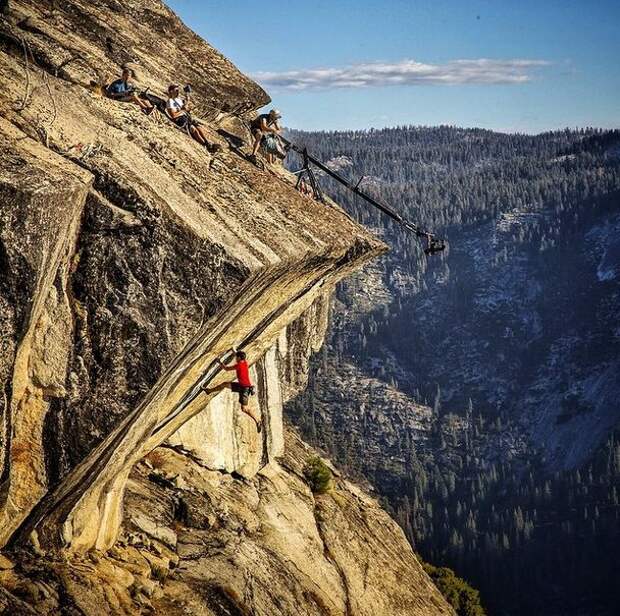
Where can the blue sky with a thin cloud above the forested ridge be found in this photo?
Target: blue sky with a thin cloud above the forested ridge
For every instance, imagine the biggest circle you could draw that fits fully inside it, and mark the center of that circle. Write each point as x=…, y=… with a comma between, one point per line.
x=517, y=66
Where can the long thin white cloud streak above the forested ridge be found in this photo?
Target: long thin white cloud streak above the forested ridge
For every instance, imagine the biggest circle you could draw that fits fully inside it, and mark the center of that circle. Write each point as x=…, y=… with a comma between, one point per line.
x=405, y=72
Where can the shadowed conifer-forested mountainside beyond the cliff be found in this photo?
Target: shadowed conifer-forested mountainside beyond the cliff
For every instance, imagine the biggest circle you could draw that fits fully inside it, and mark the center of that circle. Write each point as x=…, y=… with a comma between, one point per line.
x=477, y=390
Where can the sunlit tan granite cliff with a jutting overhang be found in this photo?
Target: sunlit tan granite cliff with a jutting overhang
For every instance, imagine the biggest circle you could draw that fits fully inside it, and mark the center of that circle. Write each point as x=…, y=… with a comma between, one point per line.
x=130, y=260
